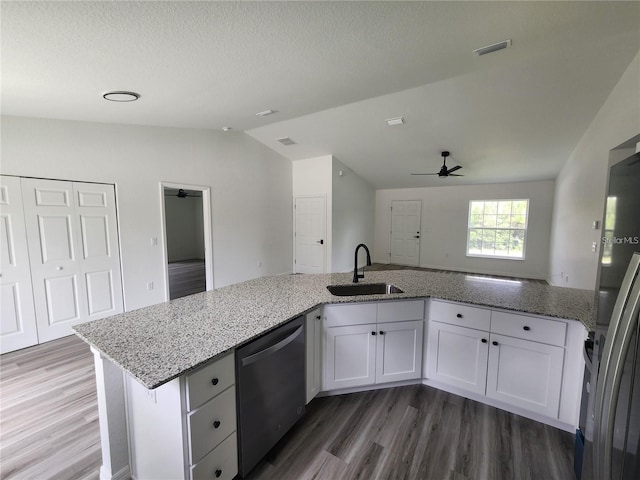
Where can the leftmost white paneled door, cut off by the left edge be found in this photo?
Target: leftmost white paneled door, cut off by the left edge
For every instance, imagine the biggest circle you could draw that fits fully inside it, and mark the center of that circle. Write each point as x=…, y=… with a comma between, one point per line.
x=17, y=314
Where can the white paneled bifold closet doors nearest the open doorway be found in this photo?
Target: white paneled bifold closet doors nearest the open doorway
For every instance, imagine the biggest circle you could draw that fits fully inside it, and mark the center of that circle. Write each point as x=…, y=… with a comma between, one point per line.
x=74, y=255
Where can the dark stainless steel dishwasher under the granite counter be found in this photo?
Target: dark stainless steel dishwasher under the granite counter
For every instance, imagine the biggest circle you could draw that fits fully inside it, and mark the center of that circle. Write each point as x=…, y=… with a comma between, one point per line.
x=270, y=390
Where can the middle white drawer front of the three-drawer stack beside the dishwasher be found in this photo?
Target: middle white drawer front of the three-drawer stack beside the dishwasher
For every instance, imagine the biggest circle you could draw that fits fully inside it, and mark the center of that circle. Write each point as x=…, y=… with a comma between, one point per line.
x=211, y=424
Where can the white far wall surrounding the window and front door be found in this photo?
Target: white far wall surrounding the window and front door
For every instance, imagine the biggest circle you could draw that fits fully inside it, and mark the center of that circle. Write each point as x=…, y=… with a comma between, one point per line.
x=445, y=213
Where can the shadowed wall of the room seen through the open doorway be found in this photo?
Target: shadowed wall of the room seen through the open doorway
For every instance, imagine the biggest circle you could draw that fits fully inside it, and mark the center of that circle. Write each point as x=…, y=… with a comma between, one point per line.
x=185, y=234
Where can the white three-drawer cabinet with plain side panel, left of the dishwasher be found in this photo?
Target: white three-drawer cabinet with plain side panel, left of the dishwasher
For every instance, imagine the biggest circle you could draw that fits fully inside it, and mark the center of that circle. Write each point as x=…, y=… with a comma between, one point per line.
x=186, y=428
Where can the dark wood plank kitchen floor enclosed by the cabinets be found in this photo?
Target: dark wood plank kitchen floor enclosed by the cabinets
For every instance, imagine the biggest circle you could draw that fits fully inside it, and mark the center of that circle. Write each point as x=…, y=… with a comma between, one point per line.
x=416, y=433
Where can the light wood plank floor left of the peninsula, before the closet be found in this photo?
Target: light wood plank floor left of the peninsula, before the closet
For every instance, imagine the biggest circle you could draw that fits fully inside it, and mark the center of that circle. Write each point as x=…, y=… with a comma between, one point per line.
x=49, y=413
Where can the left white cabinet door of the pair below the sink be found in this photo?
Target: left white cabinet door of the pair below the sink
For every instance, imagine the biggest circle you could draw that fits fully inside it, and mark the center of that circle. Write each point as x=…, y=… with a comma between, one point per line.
x=350, y=356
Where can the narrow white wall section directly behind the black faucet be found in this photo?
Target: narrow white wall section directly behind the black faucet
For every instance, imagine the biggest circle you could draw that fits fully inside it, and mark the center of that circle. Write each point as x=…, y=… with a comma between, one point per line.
x=353, y=206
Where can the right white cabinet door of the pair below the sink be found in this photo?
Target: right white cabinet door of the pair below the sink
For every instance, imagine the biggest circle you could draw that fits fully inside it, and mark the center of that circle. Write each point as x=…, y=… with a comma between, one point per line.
x=399, y=351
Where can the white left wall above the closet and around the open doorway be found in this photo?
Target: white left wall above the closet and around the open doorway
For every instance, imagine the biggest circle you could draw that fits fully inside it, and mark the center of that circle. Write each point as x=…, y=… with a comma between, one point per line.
x=251, y=190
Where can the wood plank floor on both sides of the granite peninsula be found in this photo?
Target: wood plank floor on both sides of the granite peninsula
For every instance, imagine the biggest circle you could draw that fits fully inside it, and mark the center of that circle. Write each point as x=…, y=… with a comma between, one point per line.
x=49, y=430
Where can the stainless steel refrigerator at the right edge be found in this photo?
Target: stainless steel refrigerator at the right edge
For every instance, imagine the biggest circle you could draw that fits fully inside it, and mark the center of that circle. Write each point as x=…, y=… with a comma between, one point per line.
x=612, y=430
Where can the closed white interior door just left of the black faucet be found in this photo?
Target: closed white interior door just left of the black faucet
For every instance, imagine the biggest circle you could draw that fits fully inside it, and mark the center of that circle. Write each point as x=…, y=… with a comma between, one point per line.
x=310, y=235
